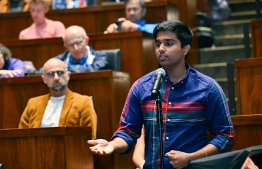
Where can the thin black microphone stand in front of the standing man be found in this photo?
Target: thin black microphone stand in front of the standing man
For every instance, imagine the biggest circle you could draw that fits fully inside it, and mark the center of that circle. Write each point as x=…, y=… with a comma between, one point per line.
x=159, y=117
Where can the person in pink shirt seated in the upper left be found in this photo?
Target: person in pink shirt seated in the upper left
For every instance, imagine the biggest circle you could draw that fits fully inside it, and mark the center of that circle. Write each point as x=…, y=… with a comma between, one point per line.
x=42, y=27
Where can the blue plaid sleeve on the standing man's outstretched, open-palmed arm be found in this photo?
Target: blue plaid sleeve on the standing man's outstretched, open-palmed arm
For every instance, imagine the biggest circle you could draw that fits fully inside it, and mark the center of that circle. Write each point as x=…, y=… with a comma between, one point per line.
x=131, y=120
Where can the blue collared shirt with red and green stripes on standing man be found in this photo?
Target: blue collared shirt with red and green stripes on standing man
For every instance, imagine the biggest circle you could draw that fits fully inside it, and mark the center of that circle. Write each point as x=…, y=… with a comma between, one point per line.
x=190, y=108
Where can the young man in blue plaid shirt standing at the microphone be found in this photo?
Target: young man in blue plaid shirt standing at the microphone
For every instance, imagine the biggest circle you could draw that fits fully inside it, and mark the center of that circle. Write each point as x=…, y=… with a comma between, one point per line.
x=193, y=105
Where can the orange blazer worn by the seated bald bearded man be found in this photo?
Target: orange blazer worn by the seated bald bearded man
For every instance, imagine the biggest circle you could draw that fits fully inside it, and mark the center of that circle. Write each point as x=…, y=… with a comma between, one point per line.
x=78, y=110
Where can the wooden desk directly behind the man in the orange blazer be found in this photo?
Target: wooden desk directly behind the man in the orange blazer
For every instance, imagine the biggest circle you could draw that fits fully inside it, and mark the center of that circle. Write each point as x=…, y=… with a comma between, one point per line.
x=108, y=88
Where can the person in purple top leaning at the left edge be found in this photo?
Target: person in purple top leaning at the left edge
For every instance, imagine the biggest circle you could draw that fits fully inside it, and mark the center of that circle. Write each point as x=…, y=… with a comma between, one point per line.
x=9, y=67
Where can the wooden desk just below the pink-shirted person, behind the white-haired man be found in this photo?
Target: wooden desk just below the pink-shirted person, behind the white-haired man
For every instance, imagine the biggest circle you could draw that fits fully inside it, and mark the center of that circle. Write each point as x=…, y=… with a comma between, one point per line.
x=137, y=50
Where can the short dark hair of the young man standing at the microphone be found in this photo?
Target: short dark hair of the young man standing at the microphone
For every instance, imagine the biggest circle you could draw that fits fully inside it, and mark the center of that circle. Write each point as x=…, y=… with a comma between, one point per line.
x=182, y=31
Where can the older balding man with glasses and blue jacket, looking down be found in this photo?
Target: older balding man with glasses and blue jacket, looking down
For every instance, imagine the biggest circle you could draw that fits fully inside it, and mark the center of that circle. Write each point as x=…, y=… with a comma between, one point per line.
x=79, y=57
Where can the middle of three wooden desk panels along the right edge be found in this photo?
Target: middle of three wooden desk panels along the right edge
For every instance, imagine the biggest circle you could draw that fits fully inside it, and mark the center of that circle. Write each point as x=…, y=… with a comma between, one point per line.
x=248, y=85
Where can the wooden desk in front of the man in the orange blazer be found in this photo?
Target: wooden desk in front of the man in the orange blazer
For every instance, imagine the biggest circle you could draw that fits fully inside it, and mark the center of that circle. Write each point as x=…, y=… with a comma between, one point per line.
x=45, y=148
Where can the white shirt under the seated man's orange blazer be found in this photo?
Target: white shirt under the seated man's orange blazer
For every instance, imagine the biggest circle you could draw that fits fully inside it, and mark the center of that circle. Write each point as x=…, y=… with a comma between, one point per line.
x=52, y=112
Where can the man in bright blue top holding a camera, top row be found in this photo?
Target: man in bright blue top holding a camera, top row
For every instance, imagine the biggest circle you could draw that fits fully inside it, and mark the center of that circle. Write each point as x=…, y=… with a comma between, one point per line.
x=135, y=11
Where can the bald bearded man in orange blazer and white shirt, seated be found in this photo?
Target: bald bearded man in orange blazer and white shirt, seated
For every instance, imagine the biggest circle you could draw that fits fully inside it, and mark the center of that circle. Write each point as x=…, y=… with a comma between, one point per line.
x=61, y=107
